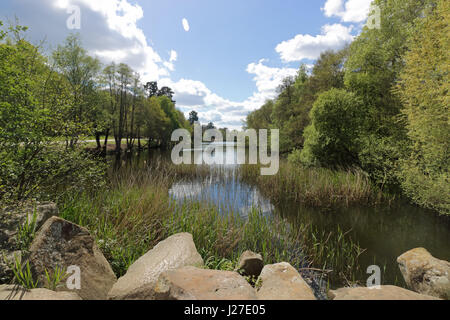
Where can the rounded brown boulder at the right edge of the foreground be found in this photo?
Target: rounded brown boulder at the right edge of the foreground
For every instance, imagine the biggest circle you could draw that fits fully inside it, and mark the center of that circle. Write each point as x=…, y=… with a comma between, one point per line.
x=425, y=274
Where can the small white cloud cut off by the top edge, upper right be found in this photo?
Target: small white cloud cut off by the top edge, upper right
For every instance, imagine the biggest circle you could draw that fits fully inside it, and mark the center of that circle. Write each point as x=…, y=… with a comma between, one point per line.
x=348, y=11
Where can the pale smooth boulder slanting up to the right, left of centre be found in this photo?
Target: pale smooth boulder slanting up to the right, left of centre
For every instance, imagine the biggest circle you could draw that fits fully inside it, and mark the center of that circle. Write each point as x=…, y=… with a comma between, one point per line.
x=139, y=281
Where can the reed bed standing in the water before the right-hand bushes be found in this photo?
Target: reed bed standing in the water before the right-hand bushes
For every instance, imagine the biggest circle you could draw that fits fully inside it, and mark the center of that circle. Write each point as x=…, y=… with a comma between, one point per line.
x=316, y=187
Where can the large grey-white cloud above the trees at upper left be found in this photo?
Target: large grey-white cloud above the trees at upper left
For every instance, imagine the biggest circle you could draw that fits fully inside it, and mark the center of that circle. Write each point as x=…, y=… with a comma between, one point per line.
x=109, y=31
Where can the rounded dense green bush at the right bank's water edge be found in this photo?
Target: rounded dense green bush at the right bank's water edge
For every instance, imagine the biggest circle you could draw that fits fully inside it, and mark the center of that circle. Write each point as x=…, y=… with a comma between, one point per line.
x=332, y=138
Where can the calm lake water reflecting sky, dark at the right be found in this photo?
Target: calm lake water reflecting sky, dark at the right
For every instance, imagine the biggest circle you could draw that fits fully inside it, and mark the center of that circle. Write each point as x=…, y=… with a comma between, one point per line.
x=385, y=232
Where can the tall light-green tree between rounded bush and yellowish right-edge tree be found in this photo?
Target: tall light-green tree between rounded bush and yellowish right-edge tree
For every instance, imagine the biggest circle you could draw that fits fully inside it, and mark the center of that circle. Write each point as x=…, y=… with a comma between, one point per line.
x=375, y=61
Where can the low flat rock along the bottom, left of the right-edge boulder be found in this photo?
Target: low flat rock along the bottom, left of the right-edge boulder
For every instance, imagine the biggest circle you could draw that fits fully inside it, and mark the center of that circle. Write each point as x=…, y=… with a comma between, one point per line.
x=383, y=293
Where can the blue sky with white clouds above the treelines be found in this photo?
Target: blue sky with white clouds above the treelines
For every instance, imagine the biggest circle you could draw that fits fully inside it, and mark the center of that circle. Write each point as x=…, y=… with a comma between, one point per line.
x=222, y=58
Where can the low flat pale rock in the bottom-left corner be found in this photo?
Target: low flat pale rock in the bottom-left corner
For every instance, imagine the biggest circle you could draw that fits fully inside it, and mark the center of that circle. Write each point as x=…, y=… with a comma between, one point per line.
x=17, y=293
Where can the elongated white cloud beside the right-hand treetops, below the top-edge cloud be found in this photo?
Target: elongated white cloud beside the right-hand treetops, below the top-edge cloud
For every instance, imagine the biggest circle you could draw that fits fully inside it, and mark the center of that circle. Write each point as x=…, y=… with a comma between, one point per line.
x=305, y=46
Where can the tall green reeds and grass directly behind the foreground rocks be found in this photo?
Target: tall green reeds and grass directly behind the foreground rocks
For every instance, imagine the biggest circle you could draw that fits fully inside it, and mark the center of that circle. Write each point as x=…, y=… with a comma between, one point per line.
x=135, y=212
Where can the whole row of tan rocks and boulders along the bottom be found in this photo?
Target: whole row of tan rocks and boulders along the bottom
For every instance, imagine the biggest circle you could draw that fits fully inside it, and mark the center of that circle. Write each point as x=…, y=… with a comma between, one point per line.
x=174, y=270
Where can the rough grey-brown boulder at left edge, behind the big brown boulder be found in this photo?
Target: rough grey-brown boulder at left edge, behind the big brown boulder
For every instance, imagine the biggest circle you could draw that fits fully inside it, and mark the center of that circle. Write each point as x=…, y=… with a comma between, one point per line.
x=11, y=220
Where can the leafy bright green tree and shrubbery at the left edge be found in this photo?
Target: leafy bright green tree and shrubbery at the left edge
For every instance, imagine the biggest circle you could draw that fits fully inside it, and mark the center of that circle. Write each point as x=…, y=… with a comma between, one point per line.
x=33, y=109
